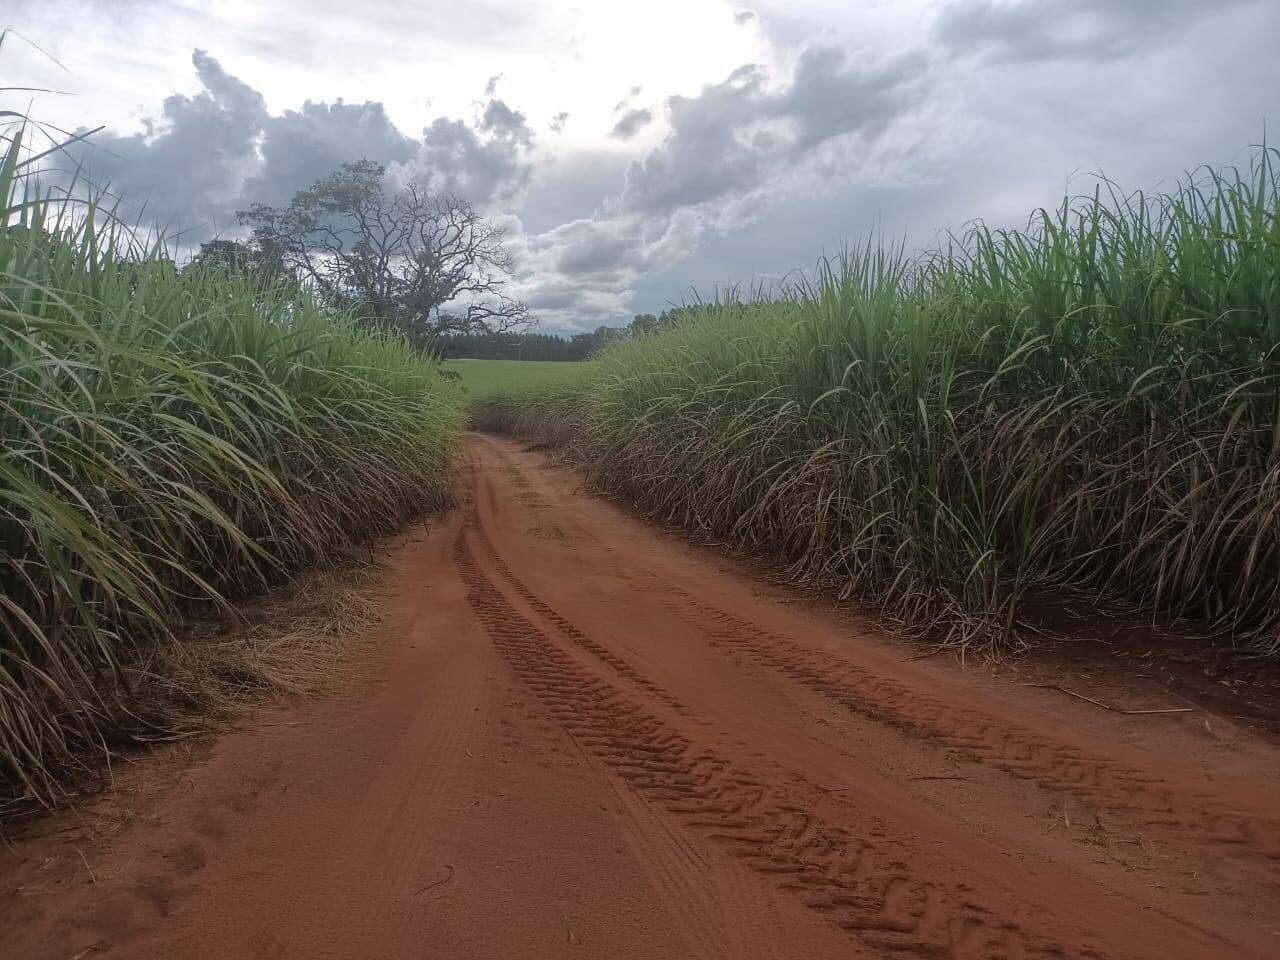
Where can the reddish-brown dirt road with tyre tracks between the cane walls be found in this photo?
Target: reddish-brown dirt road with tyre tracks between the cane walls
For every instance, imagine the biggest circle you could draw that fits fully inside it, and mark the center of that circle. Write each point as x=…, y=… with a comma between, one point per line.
x=591, y=740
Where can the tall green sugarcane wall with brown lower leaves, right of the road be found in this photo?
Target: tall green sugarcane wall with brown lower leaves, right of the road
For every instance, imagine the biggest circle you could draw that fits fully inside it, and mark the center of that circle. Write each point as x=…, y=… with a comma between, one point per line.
x=1090, y=404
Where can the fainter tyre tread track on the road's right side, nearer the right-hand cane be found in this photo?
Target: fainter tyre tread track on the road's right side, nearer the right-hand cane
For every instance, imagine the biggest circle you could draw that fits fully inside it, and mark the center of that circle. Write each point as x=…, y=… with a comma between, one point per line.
x=1053, y=764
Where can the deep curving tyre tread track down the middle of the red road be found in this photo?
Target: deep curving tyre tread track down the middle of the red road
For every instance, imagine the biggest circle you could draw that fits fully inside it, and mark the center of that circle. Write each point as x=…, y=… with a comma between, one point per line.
x=866, y=884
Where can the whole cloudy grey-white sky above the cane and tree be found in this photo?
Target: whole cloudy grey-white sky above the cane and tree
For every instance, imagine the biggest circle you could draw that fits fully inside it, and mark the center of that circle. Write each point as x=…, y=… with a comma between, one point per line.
x=641, y=152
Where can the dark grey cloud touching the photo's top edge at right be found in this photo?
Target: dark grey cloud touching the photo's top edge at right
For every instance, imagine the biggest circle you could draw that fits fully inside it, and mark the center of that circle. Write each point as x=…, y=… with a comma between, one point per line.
x=1071, y=30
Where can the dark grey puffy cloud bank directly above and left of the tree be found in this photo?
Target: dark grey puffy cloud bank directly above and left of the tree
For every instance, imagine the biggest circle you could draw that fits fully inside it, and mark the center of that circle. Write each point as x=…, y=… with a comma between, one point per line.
x=220, y=150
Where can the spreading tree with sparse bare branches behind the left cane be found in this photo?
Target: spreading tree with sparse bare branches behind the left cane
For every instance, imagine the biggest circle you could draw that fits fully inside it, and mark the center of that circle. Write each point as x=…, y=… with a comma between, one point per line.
x=423, y=260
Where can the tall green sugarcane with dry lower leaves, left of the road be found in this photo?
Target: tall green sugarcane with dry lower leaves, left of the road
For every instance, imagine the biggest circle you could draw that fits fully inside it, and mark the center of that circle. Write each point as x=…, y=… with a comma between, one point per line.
x=172, y=441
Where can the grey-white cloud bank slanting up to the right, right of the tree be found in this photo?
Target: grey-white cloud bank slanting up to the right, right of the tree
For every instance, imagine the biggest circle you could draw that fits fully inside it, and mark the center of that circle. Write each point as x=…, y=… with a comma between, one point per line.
x=732, y=152
